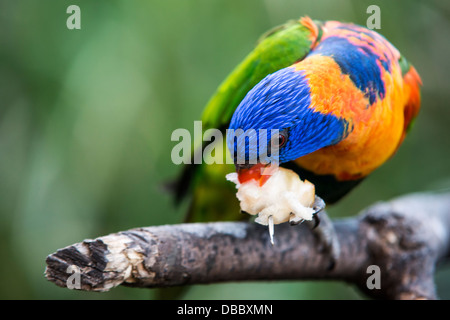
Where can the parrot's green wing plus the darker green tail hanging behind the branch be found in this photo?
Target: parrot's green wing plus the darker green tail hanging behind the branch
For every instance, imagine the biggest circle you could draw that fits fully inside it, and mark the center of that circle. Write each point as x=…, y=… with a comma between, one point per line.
x=214, y=198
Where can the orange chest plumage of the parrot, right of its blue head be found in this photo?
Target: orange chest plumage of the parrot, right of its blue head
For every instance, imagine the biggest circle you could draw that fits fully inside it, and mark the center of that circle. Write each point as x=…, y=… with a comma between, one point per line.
x=377, y=129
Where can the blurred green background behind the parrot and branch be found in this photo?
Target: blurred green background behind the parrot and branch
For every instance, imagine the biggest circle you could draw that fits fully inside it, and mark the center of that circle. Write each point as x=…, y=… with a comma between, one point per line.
x=86, y=117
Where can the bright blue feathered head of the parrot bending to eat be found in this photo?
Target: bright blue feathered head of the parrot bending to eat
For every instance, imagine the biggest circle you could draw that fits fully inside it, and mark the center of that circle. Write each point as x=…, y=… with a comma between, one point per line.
x=276, y=123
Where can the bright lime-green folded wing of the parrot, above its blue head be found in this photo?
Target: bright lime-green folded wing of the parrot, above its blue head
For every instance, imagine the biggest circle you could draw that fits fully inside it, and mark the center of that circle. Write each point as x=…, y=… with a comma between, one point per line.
x=276, y=49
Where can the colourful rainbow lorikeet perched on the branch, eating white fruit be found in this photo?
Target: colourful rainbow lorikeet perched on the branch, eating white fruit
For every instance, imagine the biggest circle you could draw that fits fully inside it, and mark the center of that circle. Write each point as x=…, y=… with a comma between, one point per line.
x=341, y=96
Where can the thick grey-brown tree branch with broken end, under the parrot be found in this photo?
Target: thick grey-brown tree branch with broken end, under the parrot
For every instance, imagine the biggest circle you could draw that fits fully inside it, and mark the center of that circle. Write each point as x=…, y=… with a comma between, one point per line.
x=405, y=238
